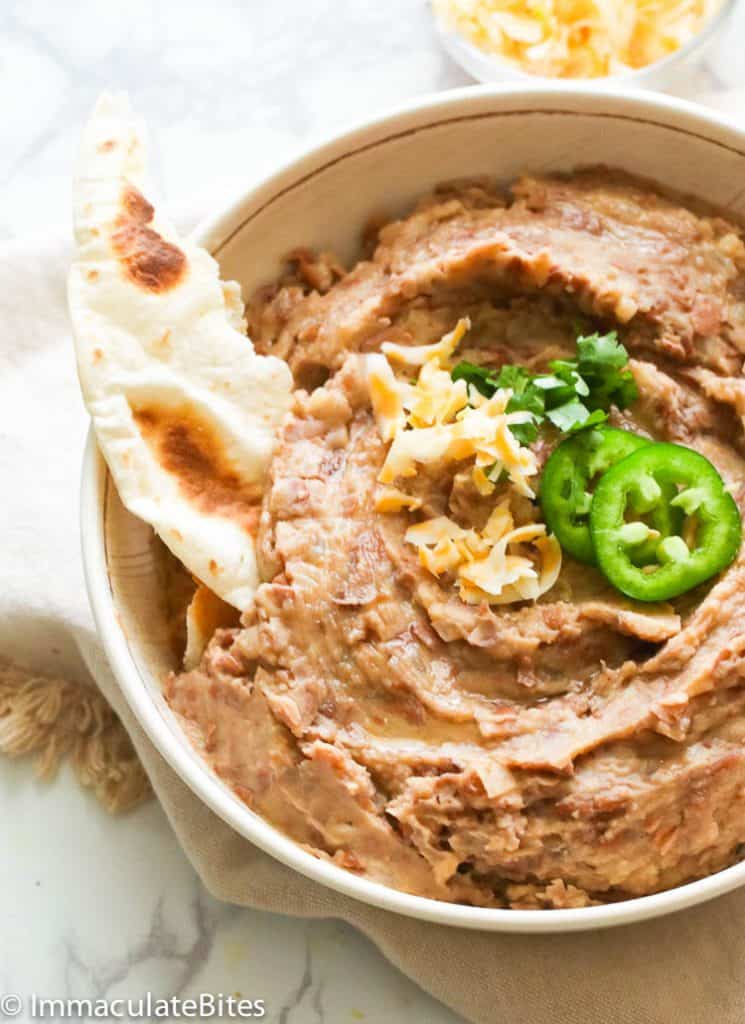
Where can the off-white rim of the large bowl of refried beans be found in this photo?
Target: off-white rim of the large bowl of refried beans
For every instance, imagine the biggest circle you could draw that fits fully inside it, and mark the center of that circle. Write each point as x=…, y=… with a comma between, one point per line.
x=214, y=233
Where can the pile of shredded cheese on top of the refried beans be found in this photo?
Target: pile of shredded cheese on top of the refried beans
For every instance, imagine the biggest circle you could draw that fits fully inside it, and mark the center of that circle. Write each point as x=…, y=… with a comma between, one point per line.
x=436, y=419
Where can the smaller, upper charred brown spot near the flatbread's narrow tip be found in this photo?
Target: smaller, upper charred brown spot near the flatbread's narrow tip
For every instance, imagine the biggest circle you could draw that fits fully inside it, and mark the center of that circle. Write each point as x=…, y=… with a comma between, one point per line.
x=147, y=259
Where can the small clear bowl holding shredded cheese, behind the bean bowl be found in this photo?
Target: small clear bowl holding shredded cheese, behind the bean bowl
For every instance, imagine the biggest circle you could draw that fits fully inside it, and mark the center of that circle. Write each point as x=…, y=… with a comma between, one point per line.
x=672, y=73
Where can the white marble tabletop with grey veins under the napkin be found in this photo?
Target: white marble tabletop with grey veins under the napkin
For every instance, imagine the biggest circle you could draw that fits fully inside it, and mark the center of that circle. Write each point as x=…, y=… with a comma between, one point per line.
x=94, y=907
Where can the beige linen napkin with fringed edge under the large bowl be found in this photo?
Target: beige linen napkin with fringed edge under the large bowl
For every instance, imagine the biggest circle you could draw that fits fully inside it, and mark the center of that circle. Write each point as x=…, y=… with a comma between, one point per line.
x=685, y=969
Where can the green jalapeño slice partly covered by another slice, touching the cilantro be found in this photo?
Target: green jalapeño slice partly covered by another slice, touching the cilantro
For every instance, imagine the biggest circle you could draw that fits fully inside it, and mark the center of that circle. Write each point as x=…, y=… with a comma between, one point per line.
x=567, y=481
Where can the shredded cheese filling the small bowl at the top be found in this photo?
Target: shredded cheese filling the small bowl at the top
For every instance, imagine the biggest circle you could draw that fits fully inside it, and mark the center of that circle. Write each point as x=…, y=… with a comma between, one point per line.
x=578, y=38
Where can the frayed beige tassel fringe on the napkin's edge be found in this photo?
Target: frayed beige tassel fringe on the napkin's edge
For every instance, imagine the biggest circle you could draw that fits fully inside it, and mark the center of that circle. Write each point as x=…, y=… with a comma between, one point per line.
x=58, y=719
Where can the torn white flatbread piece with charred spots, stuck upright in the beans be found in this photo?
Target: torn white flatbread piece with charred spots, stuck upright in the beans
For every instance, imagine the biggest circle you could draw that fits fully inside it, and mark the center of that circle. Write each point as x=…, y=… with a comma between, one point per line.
x=185, y=411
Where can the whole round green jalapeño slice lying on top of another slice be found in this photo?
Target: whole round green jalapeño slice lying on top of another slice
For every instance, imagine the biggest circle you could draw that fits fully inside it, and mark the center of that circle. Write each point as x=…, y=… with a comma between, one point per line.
x=638, y=489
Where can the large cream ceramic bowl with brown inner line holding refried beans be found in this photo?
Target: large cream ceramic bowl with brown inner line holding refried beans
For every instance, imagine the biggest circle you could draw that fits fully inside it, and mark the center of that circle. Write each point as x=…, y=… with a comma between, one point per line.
x=324, y=200
